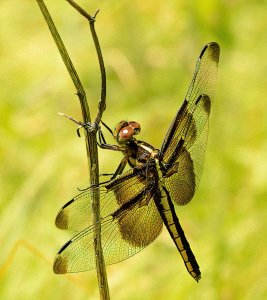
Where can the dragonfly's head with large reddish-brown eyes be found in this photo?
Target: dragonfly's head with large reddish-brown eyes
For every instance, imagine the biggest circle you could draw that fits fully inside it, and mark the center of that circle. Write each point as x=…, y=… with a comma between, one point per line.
x=124, y=131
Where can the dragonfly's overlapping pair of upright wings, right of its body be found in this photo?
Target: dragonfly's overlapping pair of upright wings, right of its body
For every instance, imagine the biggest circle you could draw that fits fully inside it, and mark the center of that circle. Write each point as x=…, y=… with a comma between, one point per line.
x=183, y=151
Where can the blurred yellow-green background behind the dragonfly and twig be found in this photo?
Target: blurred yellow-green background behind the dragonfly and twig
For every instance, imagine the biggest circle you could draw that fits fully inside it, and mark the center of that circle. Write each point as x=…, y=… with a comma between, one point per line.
x=150, y=50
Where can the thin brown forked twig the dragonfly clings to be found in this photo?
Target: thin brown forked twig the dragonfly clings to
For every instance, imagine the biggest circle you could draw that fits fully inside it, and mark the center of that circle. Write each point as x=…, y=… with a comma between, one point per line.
x=90, y=137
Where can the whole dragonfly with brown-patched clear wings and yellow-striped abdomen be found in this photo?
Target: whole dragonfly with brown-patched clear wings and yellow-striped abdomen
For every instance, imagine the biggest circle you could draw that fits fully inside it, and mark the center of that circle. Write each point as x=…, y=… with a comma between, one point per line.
x=135, y=204
